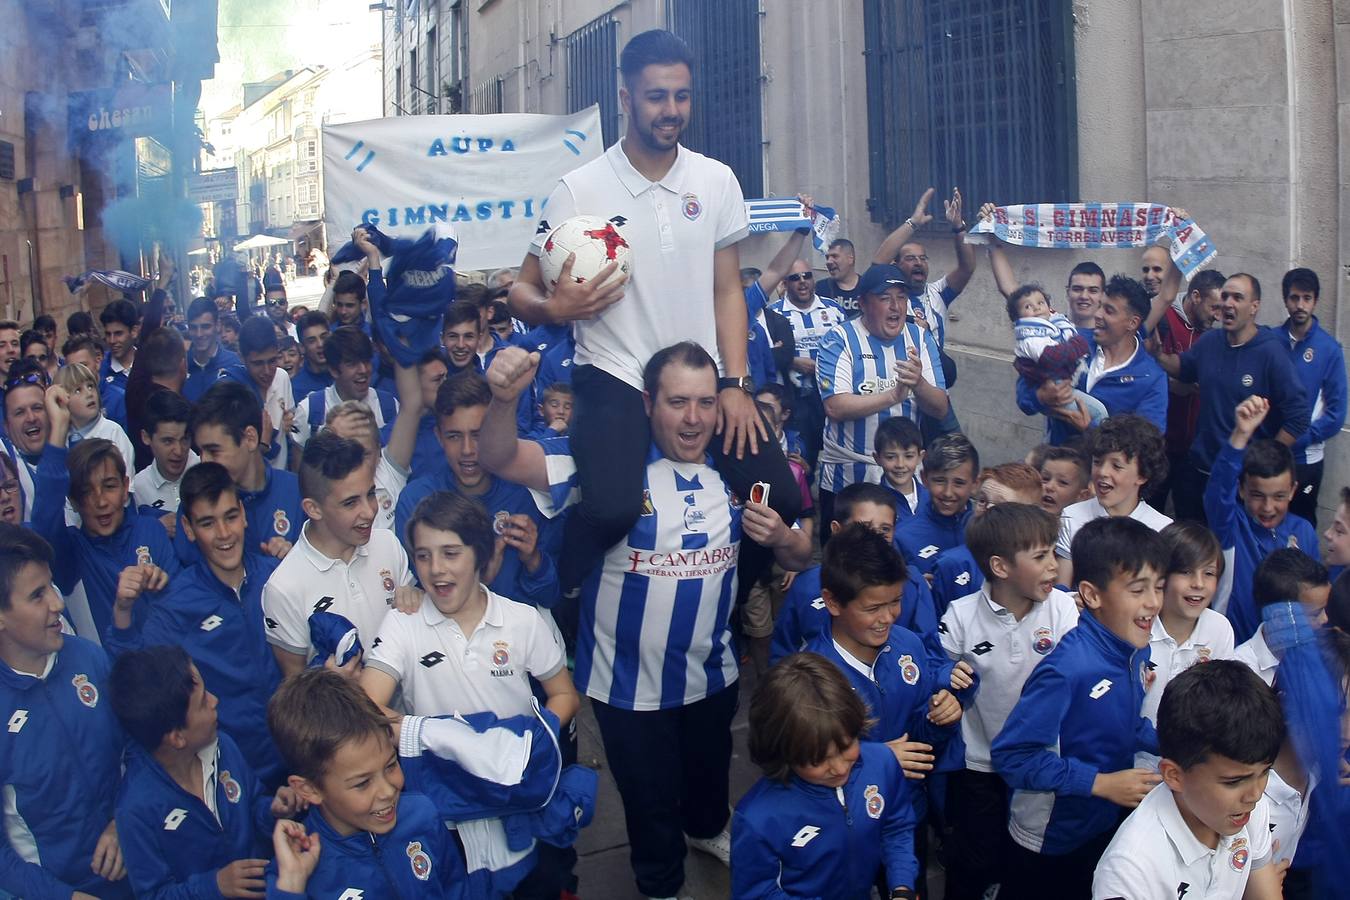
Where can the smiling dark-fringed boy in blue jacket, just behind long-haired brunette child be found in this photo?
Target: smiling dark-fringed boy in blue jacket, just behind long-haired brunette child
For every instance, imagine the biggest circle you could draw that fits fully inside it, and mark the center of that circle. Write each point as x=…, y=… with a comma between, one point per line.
x=905, y=692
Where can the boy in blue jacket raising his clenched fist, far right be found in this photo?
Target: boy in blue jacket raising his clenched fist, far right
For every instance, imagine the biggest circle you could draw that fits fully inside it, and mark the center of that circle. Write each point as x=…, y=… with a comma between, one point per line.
x=1248, y=507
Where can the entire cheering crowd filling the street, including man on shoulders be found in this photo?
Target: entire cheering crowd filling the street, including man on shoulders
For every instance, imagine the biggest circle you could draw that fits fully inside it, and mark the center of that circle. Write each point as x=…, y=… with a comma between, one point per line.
x=288, y=615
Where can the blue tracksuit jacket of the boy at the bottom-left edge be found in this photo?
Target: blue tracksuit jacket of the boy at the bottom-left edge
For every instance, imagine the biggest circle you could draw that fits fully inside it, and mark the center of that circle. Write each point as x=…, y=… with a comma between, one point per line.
x=61, y=763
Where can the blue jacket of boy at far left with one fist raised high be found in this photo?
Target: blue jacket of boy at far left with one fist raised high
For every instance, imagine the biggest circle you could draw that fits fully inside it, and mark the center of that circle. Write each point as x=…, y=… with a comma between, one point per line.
x=98, y=562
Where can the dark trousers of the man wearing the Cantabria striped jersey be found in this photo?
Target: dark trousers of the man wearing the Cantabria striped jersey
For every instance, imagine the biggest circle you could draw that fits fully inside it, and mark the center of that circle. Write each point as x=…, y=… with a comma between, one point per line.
x=673, y=774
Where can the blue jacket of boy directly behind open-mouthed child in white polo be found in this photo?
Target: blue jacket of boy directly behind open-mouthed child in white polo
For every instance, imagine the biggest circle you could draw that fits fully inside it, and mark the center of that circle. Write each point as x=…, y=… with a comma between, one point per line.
x=538, y=589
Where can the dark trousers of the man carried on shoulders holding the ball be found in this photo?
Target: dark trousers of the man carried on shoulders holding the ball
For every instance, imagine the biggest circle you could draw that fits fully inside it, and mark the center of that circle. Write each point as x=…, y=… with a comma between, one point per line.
x=611, y=435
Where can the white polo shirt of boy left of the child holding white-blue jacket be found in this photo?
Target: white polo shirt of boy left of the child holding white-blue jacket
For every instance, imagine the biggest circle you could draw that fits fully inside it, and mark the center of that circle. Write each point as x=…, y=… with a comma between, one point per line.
x=308, y=582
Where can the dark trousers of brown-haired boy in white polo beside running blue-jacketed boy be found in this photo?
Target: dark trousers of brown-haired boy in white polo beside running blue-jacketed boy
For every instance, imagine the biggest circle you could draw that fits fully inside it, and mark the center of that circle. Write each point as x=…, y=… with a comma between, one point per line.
x=977, y=835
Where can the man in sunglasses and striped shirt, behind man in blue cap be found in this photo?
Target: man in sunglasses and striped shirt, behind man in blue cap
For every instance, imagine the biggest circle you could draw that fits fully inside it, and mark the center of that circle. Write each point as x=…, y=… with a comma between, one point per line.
x=812, y=318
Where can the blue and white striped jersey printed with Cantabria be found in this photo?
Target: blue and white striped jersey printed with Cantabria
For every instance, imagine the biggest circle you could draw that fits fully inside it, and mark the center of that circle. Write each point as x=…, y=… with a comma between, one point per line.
x=655, y=616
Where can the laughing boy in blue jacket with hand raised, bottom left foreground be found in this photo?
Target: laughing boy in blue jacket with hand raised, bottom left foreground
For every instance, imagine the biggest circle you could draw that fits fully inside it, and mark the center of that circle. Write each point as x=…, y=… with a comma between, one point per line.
x=376, y=840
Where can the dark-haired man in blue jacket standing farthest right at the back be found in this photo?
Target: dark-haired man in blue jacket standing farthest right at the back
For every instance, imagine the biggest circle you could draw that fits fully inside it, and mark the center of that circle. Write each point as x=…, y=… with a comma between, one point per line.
x=1321, y=365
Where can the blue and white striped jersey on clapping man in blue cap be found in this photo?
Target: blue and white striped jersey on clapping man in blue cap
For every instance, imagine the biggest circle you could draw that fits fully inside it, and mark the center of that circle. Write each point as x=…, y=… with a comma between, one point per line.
x=853, y=361
